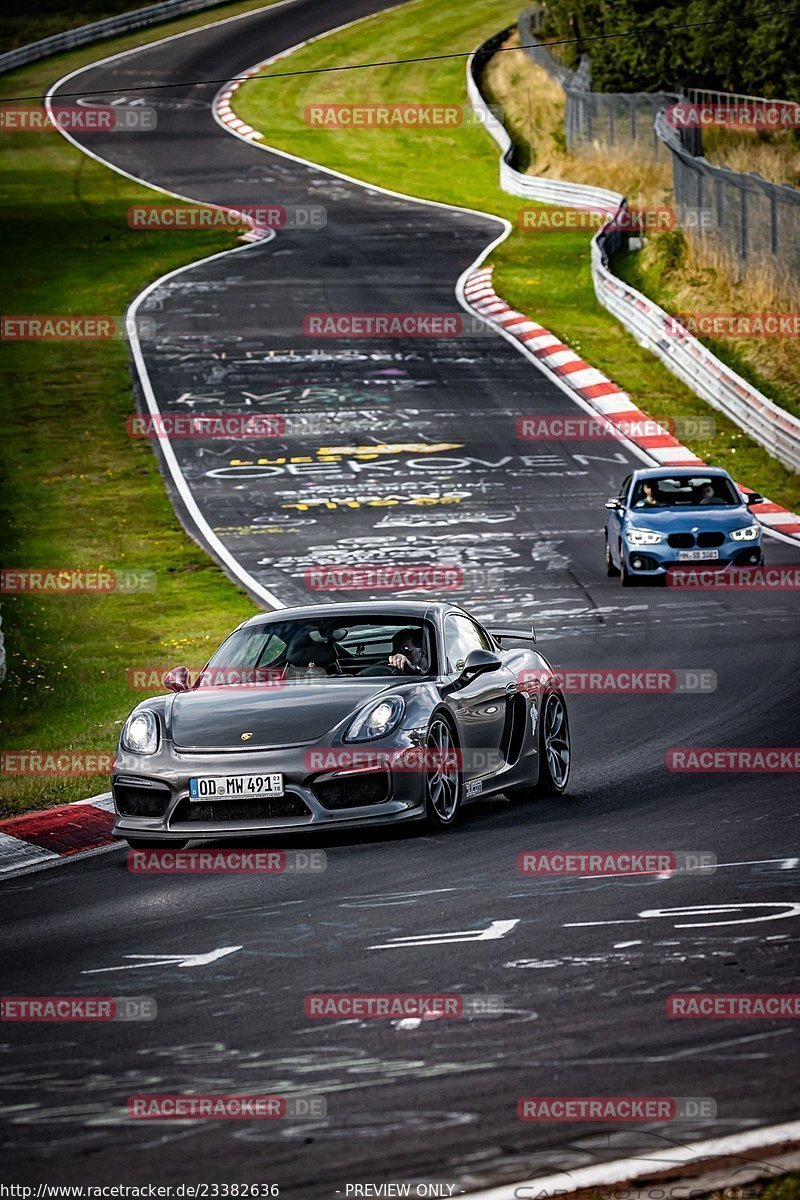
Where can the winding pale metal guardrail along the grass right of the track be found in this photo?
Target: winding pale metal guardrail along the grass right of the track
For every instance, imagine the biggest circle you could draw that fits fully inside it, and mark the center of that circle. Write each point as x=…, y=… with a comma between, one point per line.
x=711, y=379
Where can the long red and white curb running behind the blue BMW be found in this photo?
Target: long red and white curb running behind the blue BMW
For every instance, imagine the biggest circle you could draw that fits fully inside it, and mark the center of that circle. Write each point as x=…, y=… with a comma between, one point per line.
x=596, y=389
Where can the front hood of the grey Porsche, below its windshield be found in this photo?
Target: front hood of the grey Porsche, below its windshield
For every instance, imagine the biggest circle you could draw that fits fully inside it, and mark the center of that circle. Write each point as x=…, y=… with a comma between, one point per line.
x=297, y=715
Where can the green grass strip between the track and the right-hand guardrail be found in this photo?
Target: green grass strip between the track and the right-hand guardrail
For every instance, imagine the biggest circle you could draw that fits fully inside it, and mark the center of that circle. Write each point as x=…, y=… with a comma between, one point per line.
x=546, y=275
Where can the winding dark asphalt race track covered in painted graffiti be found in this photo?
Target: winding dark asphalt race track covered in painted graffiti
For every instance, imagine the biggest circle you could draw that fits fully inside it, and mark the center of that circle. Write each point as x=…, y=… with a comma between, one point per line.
x=585, y=965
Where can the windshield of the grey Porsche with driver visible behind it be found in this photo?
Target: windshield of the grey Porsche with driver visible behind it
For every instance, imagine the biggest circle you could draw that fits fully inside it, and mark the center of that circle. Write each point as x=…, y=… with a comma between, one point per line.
x=323, y=650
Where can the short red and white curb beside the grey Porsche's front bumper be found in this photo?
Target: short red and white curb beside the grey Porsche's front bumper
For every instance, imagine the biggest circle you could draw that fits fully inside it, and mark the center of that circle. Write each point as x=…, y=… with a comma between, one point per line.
x=71, y=831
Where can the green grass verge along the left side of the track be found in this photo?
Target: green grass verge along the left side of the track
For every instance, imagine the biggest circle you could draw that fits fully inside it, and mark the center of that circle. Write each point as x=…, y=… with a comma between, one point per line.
x=77, y=491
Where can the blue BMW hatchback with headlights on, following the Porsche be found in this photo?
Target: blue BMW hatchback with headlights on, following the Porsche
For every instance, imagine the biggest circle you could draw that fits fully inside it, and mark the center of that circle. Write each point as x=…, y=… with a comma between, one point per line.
x=667, y=517
